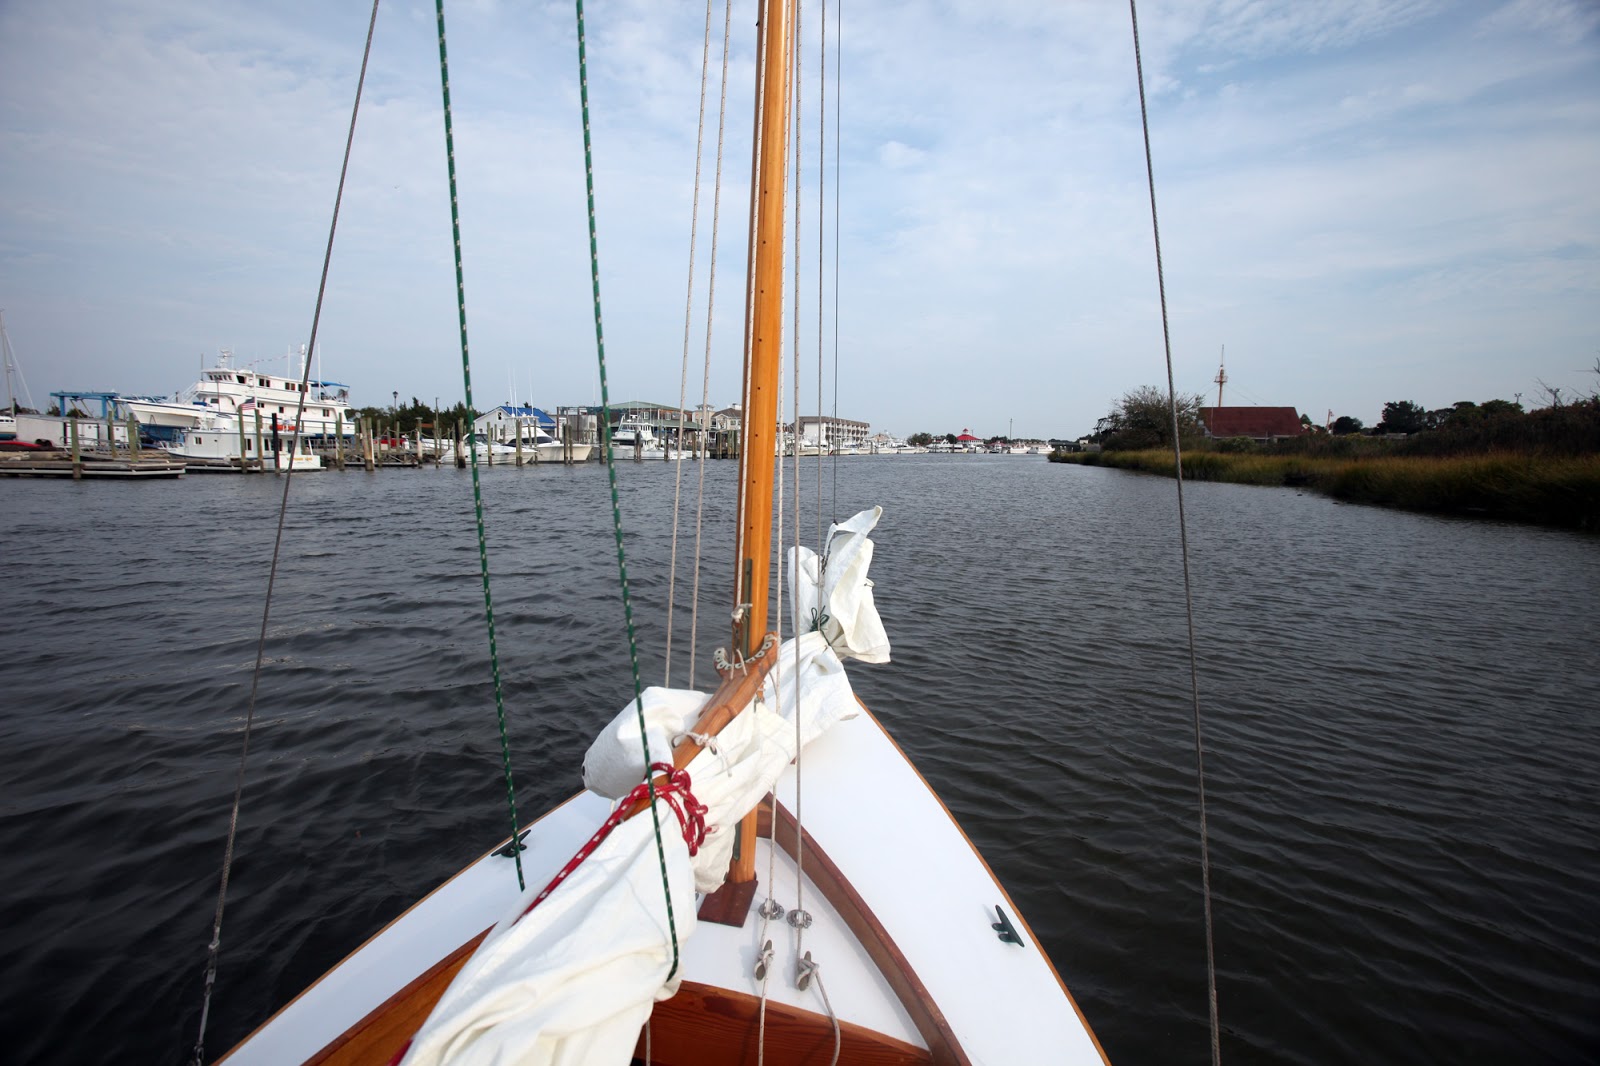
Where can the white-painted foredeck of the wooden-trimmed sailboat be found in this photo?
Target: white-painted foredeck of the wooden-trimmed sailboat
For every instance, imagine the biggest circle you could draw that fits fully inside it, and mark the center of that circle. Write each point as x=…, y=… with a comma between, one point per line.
x=924, y=881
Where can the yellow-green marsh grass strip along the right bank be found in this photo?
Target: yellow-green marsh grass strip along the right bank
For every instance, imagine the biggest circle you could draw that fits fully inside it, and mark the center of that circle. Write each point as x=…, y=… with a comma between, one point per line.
x=1519, y=487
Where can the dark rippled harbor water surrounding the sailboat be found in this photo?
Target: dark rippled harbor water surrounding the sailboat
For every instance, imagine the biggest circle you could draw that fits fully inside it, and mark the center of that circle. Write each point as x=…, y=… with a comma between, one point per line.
x=1399, y=710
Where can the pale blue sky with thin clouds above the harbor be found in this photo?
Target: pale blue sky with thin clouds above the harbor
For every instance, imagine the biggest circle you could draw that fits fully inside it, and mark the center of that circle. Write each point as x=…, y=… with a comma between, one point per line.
x=1362, y=201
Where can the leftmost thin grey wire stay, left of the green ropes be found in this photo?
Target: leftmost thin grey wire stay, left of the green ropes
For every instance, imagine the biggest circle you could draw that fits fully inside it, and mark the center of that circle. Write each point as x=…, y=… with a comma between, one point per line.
x=214, y=948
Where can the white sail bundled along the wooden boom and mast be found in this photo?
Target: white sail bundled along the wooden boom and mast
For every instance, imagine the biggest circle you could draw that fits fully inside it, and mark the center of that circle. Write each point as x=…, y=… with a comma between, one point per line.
x=572, y=982
